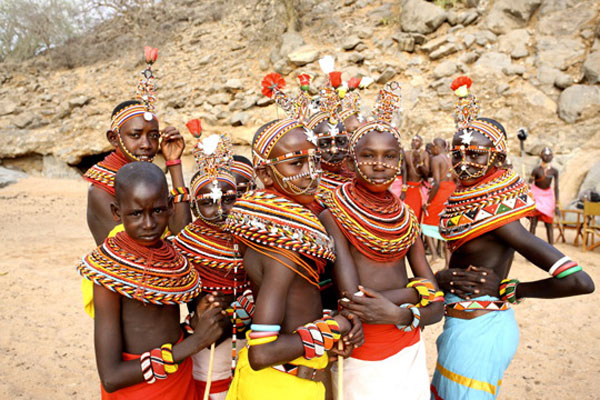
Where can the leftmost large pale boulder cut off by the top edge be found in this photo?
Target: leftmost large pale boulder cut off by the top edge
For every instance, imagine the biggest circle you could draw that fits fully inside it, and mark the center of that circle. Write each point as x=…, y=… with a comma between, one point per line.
x=421, y=16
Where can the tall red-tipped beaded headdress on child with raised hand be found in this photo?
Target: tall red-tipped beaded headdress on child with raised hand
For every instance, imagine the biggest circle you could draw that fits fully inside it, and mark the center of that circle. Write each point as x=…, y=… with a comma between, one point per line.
x=145, y=94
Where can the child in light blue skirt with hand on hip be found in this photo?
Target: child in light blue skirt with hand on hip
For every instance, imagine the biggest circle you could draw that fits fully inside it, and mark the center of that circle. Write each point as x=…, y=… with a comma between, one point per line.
x=481, y=224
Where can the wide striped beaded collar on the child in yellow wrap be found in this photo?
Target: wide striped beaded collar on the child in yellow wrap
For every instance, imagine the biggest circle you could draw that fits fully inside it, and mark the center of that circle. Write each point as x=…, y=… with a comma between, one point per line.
x=270, y=223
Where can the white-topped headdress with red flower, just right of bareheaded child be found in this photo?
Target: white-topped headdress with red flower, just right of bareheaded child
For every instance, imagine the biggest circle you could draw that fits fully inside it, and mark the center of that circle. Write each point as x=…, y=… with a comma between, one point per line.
x=213, y=156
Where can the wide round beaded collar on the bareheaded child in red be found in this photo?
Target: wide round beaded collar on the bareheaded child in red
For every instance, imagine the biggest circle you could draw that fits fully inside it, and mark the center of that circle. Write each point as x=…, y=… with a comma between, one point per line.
x=157, y=275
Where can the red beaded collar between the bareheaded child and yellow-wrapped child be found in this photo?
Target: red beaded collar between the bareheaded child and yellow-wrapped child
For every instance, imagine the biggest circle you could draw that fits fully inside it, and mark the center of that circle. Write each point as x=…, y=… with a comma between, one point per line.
x=212, y=252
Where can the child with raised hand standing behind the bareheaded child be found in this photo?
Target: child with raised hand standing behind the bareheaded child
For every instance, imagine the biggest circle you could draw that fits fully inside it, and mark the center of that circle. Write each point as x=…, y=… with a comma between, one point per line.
x=135, y=135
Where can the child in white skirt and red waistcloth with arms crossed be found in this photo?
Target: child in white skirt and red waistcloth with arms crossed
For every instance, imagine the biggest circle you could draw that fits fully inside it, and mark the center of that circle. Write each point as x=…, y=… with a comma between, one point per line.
x=373, y=232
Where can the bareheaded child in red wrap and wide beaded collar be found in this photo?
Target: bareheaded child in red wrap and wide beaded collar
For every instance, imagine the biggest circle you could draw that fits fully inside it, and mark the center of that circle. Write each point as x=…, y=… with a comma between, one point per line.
x=139, y=282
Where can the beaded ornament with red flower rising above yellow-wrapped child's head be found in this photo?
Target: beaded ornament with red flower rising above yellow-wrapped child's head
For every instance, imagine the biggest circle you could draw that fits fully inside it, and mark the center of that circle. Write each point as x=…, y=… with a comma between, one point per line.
x=296, y=107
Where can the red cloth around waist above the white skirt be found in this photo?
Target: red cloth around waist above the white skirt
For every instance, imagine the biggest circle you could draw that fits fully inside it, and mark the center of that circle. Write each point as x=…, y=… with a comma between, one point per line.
x=383, y=341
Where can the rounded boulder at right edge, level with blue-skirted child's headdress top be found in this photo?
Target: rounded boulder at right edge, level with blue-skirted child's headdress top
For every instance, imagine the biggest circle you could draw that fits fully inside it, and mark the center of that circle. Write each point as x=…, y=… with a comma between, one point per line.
x=578, y=102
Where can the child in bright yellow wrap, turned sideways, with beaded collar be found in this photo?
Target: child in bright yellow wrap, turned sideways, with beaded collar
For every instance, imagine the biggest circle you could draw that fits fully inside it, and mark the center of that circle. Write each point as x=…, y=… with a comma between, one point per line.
x=285, y=248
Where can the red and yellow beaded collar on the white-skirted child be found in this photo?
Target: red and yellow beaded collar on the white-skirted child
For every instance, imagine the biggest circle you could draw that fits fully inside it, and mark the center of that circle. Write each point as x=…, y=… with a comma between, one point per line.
x=380, y=226
